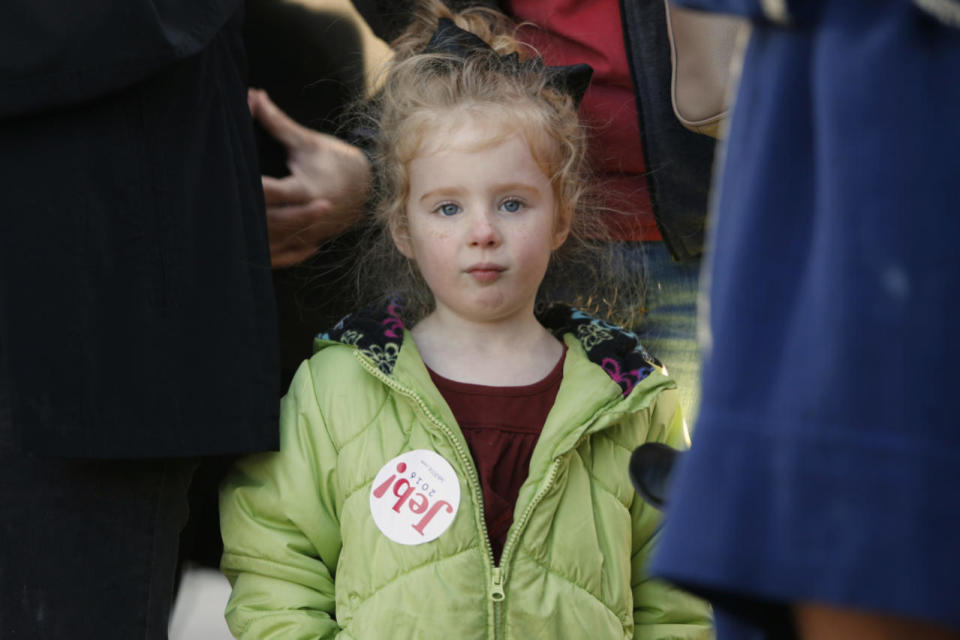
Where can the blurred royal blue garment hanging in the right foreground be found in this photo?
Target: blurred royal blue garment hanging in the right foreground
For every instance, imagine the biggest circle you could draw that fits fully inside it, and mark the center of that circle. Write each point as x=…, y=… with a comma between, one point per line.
x=826, y=461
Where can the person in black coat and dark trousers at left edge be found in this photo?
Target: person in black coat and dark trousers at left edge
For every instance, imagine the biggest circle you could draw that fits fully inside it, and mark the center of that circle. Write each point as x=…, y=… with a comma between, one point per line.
x=137, y=328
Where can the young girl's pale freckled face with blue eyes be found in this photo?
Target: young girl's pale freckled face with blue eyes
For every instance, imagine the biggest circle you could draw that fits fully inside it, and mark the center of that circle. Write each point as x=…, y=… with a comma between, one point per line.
x=481, y=222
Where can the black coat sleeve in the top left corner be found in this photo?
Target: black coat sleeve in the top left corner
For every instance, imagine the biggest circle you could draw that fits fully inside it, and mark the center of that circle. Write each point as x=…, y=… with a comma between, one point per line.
x=55, y=53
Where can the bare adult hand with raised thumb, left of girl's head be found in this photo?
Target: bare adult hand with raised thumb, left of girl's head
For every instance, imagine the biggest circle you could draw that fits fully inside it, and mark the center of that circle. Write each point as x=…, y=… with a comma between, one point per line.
x=324, y=194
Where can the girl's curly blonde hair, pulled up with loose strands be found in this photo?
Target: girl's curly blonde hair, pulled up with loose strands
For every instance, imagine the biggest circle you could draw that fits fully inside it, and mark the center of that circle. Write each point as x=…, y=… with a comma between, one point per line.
x=420, y=90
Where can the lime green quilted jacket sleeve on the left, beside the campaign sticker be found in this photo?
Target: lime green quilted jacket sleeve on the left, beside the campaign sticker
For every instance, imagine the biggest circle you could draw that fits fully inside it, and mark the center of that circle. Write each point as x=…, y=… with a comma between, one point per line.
x=281, y=532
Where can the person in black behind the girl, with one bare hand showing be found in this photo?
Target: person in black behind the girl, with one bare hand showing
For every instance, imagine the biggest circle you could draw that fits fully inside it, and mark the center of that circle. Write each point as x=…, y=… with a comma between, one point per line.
x=314, y=57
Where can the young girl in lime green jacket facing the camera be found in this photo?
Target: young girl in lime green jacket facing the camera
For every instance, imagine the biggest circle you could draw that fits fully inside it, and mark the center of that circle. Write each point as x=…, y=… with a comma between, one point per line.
x=465, y=477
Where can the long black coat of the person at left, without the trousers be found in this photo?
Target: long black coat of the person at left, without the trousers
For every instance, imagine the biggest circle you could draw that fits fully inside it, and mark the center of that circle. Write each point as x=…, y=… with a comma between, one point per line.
x=136, y=307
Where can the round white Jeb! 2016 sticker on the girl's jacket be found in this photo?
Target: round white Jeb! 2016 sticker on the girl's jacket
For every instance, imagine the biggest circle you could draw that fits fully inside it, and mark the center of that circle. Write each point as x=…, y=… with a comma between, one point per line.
x=415, y=497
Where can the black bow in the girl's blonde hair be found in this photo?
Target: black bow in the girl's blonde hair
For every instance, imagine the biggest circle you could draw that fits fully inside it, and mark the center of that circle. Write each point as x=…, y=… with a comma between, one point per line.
x=450, y=39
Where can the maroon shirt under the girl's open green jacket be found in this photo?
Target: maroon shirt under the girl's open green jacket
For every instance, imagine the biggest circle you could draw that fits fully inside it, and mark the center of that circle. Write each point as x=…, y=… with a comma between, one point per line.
x=501, y=426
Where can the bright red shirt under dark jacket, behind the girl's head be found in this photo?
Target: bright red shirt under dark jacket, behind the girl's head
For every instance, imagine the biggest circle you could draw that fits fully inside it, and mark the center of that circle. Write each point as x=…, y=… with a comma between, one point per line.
x=572, y=31
